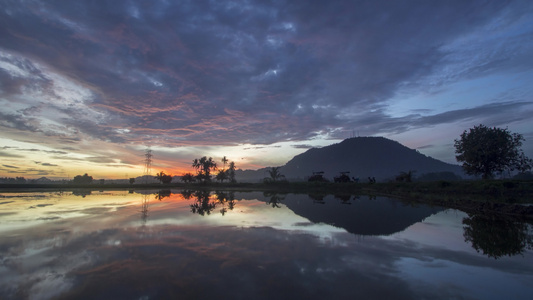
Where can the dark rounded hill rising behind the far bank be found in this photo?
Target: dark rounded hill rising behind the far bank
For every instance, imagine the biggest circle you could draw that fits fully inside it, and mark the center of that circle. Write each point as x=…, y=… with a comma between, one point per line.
x=363, y=157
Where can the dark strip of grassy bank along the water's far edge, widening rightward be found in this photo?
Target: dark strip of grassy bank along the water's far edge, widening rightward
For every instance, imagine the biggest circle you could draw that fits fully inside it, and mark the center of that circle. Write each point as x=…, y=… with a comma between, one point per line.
x=494, y=196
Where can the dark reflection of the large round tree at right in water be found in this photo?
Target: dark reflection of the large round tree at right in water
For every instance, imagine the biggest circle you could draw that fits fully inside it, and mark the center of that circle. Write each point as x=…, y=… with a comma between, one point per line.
x=497, y=236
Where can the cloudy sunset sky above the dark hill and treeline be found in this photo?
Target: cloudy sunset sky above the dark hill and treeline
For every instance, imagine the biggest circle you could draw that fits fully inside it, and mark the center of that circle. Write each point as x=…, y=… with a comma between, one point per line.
x=88, y=86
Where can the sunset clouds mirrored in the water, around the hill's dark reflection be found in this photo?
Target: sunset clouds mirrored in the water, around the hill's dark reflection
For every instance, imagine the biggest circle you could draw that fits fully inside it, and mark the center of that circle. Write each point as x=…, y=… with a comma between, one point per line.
x=176, y=253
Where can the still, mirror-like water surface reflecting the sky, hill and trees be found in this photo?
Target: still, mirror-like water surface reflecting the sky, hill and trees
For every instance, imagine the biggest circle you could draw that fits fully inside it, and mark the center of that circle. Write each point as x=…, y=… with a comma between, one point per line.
x=205, y=245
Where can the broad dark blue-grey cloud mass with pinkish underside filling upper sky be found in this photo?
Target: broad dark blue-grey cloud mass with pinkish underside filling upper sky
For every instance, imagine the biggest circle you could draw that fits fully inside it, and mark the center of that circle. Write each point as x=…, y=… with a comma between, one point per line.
x=205, y=72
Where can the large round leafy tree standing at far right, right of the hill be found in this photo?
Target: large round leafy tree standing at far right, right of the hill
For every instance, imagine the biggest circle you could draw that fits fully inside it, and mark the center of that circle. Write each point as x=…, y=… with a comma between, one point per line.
x=485, y=151
